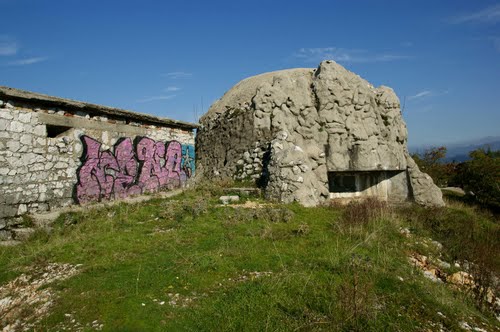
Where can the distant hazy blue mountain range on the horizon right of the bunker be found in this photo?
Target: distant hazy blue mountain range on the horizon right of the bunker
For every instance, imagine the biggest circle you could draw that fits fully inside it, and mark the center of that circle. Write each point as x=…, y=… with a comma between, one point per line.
x=460, y=151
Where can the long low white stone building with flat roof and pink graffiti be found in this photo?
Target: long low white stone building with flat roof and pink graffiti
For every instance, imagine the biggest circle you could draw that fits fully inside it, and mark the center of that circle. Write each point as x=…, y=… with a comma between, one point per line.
x=55, y=152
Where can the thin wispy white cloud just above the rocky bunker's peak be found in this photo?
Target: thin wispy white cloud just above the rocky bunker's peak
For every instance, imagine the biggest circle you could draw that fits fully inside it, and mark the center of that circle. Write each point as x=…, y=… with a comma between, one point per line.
x=345, y=55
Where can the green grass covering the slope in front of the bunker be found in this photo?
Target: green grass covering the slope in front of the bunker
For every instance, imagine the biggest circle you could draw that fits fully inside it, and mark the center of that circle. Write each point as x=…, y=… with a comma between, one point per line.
x=327, y=272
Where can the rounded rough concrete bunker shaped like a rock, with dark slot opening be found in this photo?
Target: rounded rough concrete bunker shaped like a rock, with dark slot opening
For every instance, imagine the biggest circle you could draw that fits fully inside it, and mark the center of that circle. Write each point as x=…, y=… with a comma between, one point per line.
x=309, y=135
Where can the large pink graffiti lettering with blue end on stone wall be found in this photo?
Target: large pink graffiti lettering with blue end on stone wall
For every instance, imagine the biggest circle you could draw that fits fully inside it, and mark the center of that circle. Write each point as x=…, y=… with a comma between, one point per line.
x=134, y=167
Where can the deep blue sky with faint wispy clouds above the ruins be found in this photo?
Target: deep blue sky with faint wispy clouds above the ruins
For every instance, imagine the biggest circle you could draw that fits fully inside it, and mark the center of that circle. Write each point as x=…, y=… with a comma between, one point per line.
x=173, y=58
